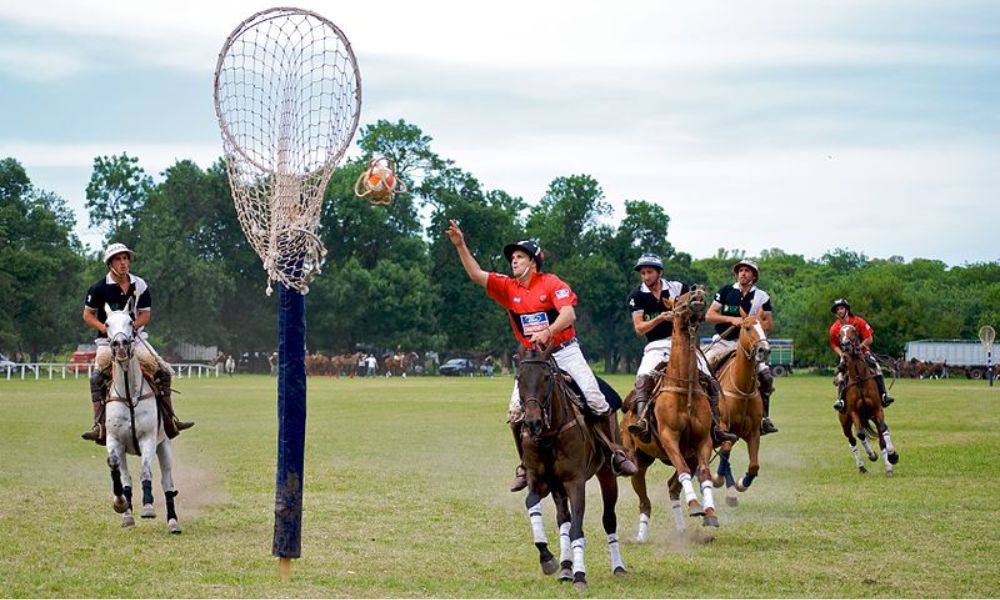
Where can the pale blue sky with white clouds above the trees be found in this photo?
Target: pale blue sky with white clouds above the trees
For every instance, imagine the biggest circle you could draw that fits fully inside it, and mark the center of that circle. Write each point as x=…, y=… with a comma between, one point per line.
x=804, y=126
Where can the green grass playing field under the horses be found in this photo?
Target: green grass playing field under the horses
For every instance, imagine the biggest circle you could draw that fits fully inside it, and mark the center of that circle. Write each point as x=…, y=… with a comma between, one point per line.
x=406, y=496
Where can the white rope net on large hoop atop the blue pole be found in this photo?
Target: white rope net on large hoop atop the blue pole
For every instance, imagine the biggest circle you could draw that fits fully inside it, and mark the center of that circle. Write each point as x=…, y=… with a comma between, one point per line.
x=288, y=98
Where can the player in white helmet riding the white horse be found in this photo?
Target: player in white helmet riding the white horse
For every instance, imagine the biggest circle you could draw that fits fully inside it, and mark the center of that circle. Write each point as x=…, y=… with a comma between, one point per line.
x=115, y=290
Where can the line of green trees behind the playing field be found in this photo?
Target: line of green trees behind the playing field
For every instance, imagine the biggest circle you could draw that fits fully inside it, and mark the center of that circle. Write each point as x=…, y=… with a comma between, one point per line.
x=392, y=279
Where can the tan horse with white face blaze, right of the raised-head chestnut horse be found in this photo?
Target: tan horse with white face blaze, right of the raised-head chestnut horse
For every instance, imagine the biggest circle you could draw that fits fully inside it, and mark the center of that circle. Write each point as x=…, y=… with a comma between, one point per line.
x=741, y=406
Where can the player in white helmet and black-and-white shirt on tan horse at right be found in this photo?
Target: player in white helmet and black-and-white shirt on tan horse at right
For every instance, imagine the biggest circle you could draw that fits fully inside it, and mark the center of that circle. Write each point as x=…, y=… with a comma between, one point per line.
x=725, y=314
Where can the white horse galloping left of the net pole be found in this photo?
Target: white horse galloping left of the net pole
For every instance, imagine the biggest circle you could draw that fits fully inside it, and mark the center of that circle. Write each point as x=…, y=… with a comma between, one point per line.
x=133, y=425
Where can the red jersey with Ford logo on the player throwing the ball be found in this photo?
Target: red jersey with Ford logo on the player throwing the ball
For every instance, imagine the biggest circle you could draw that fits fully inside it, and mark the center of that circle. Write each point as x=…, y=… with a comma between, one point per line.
x=534, y=307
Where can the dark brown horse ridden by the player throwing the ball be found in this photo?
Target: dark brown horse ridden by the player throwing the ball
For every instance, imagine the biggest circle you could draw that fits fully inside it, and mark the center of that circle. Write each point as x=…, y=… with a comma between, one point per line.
x=561, y=455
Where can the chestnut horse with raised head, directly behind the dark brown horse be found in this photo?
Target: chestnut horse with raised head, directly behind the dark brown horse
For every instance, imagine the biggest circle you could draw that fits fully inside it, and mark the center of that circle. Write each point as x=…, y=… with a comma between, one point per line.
x=683, y=424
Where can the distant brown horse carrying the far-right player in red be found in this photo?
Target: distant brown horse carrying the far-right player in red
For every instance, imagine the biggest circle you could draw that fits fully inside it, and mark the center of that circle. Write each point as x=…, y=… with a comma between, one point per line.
x=863, y=406
